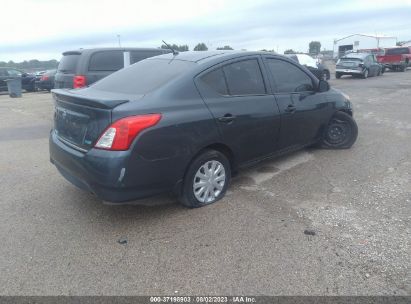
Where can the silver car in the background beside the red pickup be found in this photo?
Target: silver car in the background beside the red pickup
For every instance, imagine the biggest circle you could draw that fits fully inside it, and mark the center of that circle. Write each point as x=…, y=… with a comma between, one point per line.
x=363, y=65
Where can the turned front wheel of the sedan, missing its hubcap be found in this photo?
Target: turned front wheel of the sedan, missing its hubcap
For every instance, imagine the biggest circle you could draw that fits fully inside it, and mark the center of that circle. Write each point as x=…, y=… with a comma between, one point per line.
x=340, y=133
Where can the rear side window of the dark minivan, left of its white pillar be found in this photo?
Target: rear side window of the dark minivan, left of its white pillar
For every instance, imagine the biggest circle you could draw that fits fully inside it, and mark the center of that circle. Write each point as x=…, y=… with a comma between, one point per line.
x=106, y=61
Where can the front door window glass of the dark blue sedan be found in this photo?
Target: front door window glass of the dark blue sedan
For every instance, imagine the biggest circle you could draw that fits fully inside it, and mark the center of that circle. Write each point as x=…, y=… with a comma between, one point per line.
x=289, y=78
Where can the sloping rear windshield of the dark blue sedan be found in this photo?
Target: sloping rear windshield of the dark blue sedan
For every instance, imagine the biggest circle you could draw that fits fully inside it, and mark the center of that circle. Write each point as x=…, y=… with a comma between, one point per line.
x=143, y=76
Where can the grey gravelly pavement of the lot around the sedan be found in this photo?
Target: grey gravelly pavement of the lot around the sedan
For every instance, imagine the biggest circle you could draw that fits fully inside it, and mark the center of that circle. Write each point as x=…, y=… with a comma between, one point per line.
x=316, y=222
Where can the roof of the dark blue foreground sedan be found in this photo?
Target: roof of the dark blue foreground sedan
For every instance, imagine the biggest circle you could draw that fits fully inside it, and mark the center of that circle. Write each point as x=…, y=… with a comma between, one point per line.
x=206, y=56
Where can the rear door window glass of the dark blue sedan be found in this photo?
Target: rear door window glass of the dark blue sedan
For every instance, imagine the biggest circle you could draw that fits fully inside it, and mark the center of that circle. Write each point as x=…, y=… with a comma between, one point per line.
x=244, y=78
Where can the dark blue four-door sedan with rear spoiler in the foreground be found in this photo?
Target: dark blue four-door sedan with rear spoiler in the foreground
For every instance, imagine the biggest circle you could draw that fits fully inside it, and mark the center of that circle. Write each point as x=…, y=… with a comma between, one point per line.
x=187, y=122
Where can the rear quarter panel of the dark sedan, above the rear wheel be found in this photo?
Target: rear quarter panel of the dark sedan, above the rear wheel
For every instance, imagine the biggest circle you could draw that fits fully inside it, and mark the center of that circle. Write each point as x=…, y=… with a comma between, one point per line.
x=185, y=128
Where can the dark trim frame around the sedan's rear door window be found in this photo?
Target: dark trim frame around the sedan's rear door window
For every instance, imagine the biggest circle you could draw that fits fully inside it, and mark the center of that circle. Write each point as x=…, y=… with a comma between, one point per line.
x=221, y=66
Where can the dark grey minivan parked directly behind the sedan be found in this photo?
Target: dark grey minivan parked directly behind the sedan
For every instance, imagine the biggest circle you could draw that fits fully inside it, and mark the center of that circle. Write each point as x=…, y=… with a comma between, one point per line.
x=85, y=66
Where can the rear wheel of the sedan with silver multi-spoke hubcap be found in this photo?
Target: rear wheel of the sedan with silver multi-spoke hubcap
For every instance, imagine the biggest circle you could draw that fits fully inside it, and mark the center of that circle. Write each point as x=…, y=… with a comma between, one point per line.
x=208, y=159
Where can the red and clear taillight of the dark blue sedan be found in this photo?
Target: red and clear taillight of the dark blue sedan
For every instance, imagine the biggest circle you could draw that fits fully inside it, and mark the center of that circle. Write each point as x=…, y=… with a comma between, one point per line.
x=121, y=133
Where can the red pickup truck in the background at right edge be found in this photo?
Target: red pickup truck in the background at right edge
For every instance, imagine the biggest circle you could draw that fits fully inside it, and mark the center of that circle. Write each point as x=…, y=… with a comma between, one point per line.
x=396, y=58
